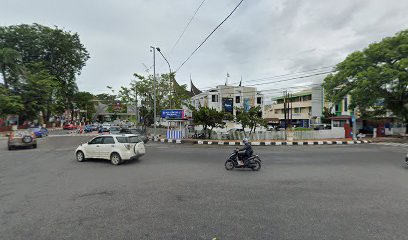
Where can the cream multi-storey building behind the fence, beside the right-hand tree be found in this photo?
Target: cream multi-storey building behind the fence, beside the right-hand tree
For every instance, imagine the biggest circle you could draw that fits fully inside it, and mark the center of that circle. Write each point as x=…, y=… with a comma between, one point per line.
x=306, y=108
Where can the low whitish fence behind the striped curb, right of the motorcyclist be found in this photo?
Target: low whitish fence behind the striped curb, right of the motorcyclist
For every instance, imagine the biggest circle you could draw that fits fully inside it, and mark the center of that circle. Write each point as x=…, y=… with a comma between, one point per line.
x=281, y=135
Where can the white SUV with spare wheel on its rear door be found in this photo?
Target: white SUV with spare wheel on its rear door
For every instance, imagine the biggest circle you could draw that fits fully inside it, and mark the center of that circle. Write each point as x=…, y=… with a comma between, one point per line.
x=116, y=148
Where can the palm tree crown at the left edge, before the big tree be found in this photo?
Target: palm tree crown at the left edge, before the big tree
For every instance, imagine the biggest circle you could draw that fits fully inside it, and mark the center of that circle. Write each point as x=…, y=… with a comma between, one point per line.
x=10, y=65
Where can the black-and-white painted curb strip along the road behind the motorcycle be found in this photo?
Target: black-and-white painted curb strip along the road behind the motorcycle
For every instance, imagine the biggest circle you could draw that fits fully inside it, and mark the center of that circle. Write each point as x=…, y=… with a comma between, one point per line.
x=266, y=142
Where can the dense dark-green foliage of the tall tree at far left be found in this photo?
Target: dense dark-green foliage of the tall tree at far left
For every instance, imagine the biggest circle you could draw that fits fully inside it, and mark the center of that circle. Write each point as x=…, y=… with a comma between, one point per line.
x=48, y=59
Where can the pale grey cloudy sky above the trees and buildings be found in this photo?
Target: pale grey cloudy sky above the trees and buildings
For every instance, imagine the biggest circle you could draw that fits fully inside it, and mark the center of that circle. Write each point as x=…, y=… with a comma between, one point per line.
x=262, y=39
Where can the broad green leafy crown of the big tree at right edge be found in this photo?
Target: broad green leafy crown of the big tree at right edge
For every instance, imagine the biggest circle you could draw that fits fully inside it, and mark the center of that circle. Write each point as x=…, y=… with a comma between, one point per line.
x=376, y=78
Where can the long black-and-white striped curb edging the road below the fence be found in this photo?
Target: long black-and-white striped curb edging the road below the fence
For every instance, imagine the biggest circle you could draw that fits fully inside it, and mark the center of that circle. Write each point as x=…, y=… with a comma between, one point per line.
x=295, y=143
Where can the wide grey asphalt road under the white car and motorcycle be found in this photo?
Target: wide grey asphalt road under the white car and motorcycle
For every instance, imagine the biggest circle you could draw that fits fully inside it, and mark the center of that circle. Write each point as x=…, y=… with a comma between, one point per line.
x=184, y=192
